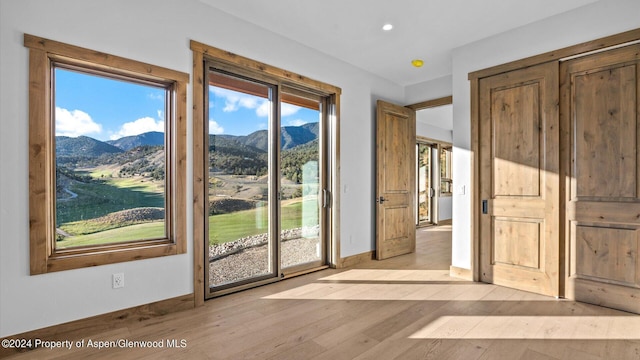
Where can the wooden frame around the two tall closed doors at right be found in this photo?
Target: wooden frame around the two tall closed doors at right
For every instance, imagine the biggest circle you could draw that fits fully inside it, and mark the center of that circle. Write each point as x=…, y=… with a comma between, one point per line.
x=474, y=79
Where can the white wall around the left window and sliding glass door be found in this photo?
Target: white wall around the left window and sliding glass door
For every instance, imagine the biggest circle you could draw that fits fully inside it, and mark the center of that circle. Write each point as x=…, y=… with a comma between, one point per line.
x=156, y=32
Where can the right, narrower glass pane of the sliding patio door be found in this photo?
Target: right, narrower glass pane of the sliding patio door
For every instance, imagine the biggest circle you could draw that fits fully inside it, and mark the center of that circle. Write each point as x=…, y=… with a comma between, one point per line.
x=301, y=186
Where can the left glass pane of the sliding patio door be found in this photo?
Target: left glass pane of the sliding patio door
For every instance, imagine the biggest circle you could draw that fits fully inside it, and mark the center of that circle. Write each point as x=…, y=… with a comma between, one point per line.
x=240, y=114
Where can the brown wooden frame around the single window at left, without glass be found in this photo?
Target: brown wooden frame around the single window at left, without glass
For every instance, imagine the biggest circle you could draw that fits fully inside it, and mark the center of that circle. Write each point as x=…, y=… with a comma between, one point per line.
x=44, y=257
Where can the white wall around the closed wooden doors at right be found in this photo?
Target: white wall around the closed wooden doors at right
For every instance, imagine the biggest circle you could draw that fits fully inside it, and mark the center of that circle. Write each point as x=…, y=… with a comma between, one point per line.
x=603, y=18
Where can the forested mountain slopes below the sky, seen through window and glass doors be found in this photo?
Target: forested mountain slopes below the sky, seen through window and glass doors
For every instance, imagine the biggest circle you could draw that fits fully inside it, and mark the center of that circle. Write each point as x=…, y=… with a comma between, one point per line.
x=235, y=155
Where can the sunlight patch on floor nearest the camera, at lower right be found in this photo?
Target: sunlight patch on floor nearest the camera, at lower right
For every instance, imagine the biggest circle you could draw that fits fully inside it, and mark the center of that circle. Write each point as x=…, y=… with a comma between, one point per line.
x=536, y=327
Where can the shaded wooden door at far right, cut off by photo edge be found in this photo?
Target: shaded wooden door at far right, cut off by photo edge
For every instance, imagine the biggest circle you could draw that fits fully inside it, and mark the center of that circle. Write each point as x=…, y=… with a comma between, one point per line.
x=601, y=112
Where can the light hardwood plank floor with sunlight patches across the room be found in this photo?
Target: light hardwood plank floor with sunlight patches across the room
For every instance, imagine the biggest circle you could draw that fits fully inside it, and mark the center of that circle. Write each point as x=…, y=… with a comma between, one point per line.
x=402, y=308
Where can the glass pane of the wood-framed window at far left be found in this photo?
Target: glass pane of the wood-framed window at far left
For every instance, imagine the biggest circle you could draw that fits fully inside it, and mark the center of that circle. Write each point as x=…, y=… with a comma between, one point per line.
x=110, y=159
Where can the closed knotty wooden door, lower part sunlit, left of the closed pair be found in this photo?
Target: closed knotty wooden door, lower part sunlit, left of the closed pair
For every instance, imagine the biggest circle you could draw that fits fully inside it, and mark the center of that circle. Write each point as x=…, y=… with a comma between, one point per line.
x=519, y=179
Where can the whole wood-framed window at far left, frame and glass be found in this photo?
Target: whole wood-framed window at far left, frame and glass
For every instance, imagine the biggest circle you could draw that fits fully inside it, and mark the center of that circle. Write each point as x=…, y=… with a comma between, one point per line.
x=107, y=157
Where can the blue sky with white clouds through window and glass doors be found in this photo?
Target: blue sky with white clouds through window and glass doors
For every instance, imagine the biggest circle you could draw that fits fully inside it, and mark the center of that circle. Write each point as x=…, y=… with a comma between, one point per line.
x=108, y=109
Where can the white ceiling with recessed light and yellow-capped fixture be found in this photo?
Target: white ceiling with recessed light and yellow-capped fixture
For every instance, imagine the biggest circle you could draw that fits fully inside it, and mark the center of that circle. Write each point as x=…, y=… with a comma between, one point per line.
x=351, y=30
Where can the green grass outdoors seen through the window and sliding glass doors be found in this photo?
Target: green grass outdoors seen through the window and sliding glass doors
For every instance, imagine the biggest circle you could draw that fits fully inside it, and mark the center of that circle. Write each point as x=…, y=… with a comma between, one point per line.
x=96, y=199
